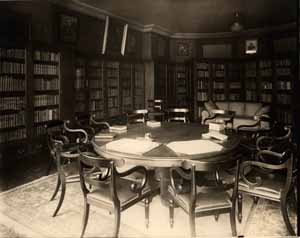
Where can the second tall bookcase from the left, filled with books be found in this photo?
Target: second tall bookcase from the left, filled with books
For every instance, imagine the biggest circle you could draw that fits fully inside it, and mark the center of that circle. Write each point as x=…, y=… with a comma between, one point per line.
x=46, y=97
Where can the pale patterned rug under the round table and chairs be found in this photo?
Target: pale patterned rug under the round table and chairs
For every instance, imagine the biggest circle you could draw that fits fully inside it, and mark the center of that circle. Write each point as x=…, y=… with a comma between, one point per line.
x=29, y=207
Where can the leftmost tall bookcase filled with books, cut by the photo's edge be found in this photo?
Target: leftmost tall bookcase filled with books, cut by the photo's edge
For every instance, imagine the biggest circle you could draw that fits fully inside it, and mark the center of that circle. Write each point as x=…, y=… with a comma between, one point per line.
x=13, y=95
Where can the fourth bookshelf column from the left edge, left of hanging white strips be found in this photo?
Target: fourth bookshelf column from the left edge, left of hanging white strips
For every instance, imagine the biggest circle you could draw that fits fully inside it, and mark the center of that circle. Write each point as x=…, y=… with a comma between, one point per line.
x=96, y=88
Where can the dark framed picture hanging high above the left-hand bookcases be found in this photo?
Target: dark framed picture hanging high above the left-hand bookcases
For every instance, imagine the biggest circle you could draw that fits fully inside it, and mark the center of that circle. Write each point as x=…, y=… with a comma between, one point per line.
x=68, y=28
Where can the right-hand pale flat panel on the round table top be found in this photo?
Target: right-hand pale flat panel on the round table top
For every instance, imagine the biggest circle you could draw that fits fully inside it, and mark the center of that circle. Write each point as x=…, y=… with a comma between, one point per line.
x=192, y=147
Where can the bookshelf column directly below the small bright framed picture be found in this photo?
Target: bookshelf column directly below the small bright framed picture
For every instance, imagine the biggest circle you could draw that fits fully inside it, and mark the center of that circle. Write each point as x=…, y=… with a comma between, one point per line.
x=250, y=81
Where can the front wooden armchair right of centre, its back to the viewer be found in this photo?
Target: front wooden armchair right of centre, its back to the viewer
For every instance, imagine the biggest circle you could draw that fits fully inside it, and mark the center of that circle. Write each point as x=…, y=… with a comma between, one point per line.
x=202, y=200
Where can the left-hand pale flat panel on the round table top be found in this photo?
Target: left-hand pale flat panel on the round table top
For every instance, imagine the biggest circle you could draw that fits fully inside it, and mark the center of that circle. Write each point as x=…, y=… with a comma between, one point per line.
x=131, y=146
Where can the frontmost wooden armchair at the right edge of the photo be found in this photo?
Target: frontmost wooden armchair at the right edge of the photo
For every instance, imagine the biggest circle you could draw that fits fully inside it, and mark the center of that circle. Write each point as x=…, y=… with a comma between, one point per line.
x=272, y=177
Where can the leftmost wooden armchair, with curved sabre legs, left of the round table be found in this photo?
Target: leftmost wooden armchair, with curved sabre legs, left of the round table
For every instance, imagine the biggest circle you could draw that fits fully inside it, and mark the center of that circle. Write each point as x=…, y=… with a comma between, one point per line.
x=64, y=150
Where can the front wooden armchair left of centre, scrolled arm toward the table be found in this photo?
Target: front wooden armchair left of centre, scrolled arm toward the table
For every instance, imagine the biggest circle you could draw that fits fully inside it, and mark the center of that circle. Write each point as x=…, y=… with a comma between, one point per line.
x=111, y=190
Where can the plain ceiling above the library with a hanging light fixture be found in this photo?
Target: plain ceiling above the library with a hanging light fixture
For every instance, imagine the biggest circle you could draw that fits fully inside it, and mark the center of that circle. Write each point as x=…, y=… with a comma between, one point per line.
x=200, y=16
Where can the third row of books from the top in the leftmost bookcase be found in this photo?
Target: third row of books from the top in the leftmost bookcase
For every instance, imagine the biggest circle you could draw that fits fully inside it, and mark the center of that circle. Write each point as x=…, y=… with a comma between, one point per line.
x=10, y=83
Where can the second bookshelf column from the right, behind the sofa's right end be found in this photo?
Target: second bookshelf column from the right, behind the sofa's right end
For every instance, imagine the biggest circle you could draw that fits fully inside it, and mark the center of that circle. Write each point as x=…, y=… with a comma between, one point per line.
x=265, y=71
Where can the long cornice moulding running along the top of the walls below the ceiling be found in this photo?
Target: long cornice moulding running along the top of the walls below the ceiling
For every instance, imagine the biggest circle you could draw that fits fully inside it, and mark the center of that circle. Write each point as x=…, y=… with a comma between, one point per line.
x=89, y=10
